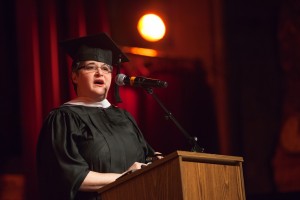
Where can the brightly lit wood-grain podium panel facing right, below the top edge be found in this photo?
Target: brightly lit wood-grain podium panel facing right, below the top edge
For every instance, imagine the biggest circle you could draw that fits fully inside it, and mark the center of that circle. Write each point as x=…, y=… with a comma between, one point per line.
x=210, y=181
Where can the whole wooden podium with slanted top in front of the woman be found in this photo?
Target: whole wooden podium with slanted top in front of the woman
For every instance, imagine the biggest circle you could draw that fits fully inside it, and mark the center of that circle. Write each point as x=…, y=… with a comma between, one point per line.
x=182, y=176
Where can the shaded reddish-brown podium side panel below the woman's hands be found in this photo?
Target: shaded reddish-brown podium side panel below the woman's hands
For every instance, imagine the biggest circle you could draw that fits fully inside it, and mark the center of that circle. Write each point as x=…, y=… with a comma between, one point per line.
x=160, y=183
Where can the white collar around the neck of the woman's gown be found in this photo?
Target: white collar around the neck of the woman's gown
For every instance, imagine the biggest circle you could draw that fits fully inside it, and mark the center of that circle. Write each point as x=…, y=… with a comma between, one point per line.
x=83, y=101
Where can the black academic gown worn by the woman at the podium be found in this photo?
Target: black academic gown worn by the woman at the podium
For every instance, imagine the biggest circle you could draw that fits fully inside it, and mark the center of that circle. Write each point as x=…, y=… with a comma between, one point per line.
x=77, y=139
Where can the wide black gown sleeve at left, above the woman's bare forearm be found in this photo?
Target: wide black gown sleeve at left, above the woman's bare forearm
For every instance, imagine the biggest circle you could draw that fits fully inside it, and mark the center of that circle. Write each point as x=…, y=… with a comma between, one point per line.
x=57, y=154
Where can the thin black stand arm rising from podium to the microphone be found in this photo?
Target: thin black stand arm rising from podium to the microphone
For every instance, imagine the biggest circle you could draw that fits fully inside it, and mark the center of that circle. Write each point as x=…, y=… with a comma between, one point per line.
x=192, y=140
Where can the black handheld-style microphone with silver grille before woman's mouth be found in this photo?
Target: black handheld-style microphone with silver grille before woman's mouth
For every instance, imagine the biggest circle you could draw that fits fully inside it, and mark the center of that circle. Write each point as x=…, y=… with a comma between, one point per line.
x=139, y=81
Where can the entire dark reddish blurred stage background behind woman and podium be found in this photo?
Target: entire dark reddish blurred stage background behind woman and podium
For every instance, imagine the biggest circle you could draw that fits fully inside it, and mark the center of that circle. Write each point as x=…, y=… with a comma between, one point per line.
x=232, y=68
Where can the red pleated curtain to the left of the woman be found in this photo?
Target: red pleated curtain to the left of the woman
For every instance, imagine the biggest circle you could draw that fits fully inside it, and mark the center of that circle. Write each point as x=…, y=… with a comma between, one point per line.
x=43, y=74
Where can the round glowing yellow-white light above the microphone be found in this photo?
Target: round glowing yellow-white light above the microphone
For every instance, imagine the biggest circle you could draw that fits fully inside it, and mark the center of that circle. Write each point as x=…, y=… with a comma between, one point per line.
x=151, y=27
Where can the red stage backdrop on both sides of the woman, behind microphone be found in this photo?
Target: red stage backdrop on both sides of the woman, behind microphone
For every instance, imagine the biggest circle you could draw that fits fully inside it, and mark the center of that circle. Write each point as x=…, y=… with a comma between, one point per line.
x=44, y=83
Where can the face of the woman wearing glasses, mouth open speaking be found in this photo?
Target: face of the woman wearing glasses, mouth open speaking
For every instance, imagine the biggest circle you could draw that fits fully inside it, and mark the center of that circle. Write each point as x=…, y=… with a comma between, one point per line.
x=93, y=79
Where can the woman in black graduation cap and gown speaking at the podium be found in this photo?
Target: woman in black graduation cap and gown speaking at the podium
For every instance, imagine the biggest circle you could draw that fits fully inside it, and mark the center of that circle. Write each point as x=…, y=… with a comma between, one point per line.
x=87, y=143
